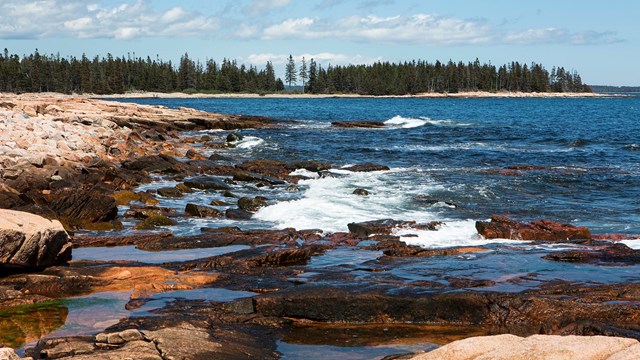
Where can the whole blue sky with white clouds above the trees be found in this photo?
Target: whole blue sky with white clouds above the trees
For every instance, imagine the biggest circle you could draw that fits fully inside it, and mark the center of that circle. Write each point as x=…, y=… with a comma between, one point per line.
x=599, y=39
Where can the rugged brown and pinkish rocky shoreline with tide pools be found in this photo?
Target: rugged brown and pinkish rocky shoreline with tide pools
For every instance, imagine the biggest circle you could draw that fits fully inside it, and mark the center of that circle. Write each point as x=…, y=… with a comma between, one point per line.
x=75, y=160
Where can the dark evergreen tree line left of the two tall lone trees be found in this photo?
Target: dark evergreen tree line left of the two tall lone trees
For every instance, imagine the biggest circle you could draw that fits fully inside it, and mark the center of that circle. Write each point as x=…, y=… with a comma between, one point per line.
x=116, y=75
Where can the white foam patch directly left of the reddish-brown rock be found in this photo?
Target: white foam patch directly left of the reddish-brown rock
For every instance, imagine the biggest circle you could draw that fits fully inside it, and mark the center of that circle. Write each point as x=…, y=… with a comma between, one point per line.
x=450, y=234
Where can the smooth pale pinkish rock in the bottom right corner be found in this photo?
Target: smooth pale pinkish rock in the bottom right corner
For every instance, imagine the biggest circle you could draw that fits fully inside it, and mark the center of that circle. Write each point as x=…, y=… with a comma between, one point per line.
x=536, y=347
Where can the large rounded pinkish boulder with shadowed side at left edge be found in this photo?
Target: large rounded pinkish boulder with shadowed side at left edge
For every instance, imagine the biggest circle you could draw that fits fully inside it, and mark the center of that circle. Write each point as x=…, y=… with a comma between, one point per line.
x=29, y=241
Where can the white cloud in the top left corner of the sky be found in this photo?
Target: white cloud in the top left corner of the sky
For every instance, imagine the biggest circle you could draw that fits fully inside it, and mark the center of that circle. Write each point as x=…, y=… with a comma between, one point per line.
x=119, y=20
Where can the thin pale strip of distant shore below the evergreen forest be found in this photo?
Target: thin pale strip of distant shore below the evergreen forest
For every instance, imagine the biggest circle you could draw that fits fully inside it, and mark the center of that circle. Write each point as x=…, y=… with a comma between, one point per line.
x=468, y=94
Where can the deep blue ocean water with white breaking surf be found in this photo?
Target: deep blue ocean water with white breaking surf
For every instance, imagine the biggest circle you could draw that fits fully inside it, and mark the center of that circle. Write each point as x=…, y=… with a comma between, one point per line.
x=452, y=159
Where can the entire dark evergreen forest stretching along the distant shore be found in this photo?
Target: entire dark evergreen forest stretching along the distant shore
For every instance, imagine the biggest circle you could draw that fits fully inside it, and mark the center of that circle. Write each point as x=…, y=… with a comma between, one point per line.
x=115, y=75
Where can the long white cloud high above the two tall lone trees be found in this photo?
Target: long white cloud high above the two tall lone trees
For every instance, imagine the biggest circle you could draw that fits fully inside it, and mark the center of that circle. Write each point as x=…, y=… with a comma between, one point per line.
x=419, y=28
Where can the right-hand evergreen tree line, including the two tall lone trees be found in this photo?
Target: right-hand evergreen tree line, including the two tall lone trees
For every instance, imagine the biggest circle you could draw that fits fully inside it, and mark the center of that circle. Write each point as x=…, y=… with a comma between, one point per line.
x=386, y=78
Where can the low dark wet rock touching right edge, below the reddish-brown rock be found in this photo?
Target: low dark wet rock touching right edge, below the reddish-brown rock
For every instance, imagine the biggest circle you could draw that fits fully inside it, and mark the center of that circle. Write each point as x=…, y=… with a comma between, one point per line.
x=616, y=253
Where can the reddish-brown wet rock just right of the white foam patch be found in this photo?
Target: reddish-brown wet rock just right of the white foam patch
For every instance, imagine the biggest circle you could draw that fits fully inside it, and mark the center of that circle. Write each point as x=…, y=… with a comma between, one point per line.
x=502, y=227
